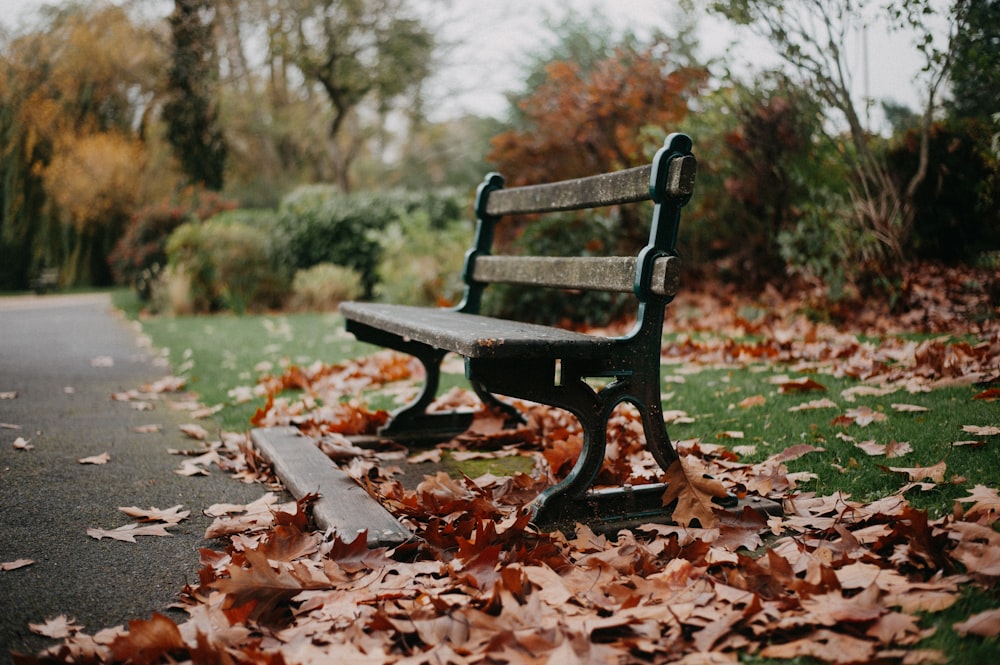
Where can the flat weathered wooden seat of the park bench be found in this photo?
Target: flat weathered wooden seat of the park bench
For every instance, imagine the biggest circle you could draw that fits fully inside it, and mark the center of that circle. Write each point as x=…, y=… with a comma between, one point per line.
x=476, y=336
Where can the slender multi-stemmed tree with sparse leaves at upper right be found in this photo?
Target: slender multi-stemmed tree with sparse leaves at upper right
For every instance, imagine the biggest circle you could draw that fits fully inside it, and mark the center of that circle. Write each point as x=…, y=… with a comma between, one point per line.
x=810, y=36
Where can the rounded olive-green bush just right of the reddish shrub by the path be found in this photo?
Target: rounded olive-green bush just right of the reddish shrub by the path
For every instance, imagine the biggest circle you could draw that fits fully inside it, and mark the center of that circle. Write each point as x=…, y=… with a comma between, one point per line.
x=230, y=266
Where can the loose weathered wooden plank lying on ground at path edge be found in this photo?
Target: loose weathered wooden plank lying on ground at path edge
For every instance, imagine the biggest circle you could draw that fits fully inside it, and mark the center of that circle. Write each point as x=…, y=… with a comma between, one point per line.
x=343, y=506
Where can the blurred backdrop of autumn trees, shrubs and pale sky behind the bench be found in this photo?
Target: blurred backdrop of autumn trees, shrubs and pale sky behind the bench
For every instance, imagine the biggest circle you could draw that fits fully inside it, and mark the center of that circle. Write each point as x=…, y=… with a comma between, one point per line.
x=247, y=154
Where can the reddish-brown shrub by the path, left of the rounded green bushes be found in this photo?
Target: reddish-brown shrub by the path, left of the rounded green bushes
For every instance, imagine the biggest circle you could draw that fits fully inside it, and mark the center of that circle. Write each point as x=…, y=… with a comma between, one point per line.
x=141, y=253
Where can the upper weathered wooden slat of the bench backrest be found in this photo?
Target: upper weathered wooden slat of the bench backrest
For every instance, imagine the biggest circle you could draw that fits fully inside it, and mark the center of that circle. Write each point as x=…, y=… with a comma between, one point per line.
x=616, y=188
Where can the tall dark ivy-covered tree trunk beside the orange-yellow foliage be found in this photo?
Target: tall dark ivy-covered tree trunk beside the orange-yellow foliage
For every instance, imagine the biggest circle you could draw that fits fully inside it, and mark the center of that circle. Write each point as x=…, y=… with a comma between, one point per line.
x=190, y=112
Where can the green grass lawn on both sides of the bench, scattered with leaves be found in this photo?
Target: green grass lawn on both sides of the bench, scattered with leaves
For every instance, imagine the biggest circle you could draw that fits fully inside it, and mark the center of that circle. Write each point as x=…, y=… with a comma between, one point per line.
x=930, y=439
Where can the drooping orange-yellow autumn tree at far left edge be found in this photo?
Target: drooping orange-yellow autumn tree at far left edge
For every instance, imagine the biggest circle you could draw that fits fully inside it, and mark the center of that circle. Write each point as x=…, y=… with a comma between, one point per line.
x=70, y=94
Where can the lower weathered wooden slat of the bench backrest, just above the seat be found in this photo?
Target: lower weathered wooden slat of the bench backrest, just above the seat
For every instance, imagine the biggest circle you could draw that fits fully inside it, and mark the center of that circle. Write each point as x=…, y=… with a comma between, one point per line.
x=616, y=273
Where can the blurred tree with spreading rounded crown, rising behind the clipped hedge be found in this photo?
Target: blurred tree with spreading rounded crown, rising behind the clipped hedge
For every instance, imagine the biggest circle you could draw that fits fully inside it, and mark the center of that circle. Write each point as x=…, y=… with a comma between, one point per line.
x=358, y=52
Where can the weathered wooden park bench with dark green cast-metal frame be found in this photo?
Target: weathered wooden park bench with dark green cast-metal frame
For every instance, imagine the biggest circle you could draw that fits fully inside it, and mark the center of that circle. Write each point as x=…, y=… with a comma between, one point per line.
x=550, y=365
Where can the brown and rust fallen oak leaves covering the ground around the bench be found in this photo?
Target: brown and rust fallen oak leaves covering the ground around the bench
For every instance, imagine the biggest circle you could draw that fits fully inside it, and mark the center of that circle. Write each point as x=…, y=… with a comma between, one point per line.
x=832, y=579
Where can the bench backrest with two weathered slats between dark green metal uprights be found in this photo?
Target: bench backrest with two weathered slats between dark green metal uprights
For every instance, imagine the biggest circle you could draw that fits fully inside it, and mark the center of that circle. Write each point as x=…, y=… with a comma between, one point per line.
x=652, y=275
